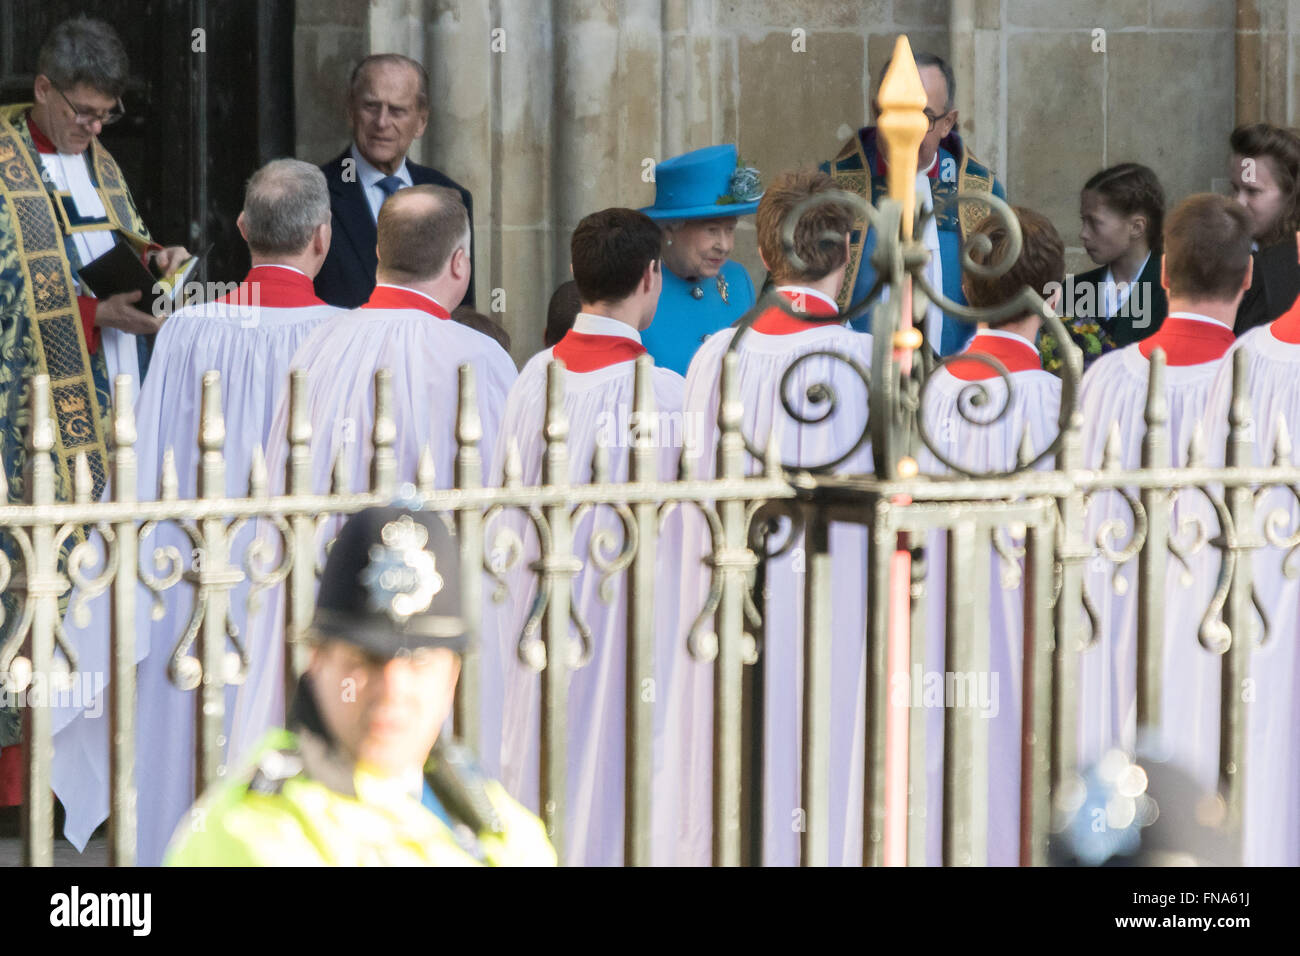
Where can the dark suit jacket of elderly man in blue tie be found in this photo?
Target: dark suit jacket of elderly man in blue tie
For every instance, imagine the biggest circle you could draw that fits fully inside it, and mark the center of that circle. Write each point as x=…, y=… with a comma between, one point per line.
x=348, y=278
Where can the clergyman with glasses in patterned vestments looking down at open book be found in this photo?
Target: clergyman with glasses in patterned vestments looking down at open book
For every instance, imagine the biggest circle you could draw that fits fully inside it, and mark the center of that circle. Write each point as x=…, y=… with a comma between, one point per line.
x=64, y=204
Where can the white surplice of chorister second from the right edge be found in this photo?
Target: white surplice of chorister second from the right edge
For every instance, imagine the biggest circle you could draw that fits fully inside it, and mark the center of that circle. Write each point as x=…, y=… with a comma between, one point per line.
x=1115, y=393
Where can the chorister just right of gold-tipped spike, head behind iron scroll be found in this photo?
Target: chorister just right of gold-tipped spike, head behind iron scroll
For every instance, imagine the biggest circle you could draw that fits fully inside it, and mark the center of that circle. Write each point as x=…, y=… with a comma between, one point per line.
x=961, y=404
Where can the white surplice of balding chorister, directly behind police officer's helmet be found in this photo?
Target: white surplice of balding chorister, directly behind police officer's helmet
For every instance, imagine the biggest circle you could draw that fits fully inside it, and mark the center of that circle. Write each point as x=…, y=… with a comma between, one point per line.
x=424, y=352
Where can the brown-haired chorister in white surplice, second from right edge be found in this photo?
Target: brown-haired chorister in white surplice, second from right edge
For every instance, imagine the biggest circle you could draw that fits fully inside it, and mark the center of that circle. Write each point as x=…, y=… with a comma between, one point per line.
x=1206, y=271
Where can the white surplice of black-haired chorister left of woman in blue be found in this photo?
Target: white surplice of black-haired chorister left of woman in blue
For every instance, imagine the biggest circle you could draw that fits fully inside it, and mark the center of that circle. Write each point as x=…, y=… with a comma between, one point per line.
x=600, y=409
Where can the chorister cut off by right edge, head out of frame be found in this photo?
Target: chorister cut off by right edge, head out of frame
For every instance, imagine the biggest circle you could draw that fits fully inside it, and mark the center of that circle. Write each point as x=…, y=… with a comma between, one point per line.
x=1272, y=814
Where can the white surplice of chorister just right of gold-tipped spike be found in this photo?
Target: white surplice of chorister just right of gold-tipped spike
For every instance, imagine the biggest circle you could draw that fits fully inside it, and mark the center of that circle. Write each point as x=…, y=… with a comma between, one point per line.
x=1034, y=405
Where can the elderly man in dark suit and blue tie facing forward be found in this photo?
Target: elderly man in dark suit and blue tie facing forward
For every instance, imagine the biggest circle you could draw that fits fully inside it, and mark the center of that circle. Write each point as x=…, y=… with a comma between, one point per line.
x=388, y=109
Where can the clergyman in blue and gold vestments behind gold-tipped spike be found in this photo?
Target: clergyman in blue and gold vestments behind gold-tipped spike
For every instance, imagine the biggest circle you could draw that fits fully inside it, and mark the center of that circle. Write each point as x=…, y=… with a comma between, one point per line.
x=944, y=167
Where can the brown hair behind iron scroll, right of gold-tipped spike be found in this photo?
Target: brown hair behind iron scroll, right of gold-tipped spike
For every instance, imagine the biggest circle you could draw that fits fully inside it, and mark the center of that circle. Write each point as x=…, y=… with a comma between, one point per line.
x=1042, y=261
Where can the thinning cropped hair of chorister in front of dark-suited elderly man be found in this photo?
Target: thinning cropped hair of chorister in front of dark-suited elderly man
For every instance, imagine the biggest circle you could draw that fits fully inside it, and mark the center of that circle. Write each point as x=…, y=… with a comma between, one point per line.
x=418, y=237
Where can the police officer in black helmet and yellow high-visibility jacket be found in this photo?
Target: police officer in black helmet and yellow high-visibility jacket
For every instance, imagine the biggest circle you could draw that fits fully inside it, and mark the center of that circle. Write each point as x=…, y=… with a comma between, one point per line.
x=362, y=777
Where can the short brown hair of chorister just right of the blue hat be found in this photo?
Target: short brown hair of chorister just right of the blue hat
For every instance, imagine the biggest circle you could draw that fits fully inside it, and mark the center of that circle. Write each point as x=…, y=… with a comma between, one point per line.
x=813, y=235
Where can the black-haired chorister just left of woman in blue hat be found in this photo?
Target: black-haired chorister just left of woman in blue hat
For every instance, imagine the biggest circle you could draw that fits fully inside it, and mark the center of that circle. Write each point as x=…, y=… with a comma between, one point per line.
x=616, y=257
